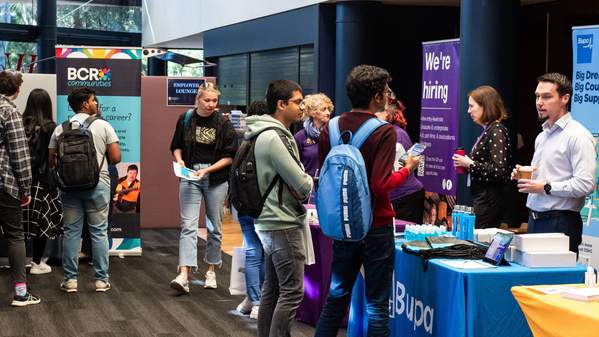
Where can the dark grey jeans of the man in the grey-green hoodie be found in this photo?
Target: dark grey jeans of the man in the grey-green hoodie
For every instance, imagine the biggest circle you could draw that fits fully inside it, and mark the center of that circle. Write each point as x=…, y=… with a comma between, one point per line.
x=283, y=288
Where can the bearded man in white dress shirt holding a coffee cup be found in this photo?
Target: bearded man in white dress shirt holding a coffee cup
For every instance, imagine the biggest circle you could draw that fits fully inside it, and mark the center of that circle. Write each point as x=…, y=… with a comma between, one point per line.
x=564, y=164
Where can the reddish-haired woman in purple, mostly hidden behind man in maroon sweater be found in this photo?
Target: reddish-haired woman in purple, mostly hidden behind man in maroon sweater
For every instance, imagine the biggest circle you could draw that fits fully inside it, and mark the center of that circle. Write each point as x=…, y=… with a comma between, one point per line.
x=407, y=199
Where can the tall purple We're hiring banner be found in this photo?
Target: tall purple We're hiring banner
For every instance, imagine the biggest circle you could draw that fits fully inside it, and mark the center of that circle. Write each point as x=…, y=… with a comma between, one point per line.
x=439, y=126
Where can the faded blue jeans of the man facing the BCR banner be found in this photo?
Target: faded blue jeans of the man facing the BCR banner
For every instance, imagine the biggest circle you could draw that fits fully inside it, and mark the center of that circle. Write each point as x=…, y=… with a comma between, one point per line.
x=91, y=206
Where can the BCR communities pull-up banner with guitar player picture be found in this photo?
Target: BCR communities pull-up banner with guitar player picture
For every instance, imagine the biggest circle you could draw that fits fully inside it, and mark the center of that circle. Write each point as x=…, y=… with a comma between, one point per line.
x=115, y=75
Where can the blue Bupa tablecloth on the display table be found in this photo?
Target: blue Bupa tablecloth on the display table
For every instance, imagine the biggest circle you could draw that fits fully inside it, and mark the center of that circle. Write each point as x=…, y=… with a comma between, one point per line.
x=446, y=301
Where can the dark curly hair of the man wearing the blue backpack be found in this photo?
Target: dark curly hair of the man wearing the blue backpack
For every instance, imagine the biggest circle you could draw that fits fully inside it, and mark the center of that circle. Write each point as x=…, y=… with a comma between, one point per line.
x=364, y=82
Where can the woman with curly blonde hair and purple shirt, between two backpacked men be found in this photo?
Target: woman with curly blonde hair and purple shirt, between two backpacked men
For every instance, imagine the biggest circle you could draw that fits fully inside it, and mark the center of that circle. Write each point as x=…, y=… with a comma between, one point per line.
x=318, y=109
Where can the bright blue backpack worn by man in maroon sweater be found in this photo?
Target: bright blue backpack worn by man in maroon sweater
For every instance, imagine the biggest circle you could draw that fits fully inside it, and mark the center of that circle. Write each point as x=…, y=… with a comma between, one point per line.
x=343, y=199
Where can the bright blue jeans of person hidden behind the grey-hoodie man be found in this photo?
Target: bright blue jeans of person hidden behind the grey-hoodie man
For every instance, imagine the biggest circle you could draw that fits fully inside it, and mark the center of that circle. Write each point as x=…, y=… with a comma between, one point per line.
x=254, y=259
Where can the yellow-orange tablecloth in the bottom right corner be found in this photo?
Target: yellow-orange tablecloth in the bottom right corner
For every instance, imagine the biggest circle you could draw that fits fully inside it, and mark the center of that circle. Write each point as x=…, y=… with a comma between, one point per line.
x=555, y=316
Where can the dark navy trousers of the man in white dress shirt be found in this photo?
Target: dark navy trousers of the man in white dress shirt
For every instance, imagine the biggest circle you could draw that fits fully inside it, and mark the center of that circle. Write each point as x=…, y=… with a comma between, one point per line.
x=567, y=222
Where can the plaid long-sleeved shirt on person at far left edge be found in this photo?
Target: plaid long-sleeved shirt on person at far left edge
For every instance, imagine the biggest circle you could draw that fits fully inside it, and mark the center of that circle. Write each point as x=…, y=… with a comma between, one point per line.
x=15, y=166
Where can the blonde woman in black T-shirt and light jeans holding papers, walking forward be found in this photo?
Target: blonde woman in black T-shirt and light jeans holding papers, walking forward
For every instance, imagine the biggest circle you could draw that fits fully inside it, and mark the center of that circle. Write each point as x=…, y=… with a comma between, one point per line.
x=206, y=143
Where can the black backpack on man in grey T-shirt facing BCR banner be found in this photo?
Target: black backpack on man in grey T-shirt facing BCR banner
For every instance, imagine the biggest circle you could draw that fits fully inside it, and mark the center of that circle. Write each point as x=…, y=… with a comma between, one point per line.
x=77, y=167
